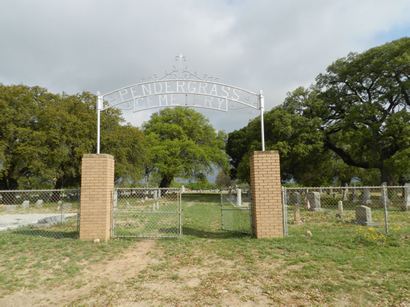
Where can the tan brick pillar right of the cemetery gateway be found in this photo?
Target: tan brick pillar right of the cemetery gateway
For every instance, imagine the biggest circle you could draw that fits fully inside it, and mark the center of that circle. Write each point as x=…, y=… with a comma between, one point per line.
x=267, y=213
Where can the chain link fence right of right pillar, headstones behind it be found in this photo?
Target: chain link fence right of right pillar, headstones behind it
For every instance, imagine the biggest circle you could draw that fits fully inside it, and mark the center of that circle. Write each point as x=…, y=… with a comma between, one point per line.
x=383, y=208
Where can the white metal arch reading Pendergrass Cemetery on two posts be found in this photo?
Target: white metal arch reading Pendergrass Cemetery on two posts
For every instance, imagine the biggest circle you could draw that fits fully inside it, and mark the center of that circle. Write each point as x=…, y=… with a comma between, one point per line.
x=180, y=87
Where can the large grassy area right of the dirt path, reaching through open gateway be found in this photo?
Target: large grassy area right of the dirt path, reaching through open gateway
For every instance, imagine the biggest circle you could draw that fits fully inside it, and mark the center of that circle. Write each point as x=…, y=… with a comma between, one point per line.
x=341, y=263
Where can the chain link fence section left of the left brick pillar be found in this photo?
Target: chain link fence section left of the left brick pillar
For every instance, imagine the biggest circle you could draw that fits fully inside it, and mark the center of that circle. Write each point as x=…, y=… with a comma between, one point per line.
x=48, y=213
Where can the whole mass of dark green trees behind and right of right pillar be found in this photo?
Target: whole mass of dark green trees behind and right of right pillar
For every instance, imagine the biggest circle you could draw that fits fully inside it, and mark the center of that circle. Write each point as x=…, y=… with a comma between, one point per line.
x=354, y=121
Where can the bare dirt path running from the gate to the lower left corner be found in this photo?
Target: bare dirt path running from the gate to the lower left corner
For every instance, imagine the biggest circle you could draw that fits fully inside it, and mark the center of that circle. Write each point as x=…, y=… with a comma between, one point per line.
x=91, y=279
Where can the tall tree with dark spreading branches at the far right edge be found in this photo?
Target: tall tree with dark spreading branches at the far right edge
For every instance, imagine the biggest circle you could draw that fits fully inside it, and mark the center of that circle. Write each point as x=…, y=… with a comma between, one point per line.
x=364, y=106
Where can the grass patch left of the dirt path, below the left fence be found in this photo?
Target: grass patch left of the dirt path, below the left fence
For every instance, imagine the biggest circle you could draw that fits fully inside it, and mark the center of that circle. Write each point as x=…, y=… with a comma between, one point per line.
x=33, y=257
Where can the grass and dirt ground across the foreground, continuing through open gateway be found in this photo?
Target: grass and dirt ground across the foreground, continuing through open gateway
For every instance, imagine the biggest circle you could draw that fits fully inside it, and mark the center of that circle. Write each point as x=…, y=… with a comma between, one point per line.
x=322, y=262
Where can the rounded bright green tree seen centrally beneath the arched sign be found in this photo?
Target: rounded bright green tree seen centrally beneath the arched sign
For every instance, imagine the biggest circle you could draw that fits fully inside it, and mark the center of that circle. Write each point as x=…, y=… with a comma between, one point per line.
x=183, y=144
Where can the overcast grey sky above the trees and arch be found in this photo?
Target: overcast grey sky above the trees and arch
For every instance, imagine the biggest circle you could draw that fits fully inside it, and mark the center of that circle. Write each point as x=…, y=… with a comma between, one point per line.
x=101, y=45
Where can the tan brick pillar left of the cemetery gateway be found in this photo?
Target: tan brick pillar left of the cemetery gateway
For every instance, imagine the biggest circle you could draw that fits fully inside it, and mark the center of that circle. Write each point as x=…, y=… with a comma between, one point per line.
x=97, y=184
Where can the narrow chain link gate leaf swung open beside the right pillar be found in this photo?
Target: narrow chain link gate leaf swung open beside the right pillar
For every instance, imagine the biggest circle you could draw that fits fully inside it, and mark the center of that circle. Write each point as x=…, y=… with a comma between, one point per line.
x=236, y=211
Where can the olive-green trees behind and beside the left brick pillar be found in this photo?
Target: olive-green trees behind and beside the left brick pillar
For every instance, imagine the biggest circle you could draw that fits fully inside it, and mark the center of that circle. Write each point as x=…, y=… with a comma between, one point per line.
x=44, y=137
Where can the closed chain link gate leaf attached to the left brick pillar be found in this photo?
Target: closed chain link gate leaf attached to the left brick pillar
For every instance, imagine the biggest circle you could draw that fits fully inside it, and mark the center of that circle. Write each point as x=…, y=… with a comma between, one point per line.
x=147, y=213
